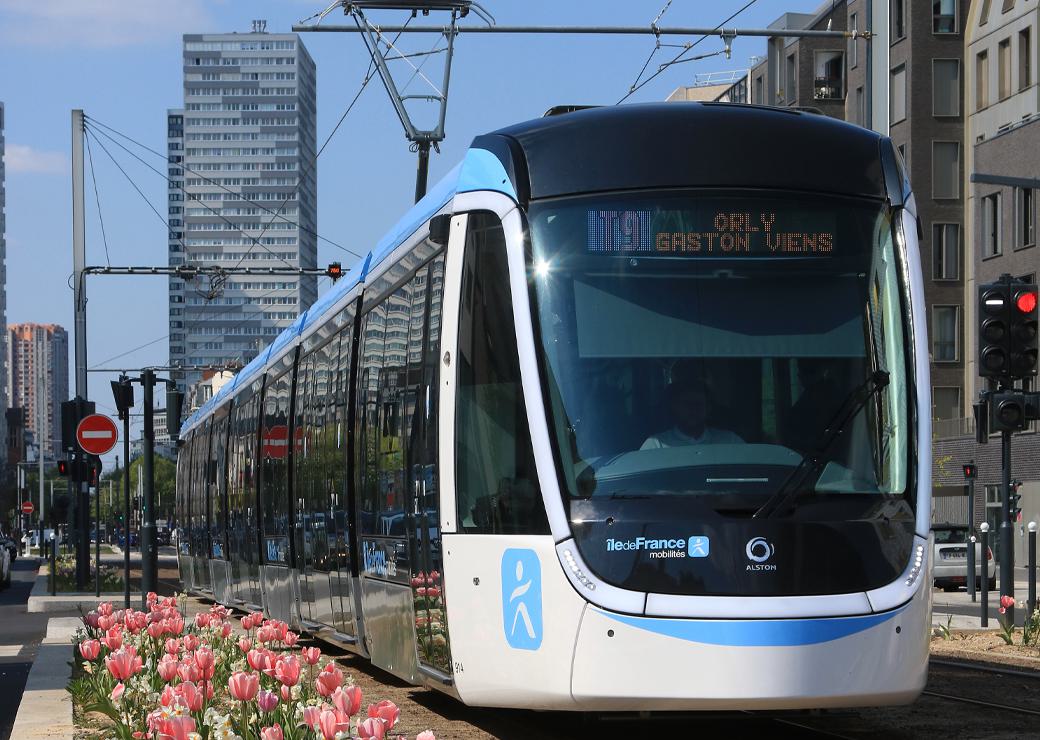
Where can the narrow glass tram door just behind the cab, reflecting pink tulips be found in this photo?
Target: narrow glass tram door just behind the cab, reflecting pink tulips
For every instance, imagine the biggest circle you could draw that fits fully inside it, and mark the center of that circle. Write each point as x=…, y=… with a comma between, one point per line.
x=424, y=511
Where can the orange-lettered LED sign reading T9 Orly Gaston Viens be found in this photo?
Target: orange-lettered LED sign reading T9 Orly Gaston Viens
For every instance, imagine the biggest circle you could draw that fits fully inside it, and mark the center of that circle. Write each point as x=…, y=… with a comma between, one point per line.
x=712, y=233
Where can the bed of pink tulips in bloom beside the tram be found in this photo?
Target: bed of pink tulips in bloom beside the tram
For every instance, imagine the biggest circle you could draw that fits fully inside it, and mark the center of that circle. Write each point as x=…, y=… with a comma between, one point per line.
x=154, y=675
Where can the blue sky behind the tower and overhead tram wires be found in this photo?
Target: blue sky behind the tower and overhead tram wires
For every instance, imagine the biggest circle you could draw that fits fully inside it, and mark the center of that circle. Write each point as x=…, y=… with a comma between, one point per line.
x=121, y=63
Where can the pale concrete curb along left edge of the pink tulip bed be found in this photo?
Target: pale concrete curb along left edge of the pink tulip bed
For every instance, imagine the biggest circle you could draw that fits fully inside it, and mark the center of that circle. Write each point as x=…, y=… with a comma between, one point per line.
x=46, y=707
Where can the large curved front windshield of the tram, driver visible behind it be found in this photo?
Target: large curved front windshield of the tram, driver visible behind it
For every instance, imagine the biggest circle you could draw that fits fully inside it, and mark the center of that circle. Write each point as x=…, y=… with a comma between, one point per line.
x=713, y=346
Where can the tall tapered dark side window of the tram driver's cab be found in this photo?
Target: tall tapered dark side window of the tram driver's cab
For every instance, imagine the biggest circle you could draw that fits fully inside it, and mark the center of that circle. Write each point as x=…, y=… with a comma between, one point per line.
x=496, y=479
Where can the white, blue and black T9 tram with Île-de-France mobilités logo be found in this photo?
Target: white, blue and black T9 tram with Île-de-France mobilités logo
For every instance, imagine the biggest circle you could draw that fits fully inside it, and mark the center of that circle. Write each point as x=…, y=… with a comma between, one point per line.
x=631, y=412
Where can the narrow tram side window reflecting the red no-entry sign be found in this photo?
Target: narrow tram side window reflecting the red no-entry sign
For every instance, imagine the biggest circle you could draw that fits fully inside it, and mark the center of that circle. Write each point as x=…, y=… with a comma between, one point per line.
x=275, y=482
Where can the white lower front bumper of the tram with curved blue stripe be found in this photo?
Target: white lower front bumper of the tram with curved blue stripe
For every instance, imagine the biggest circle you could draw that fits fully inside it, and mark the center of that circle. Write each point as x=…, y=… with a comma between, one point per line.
x=629, y=664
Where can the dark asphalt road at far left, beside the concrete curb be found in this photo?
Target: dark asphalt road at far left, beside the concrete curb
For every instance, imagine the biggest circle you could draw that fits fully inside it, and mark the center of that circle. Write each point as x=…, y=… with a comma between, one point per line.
x=20, y=636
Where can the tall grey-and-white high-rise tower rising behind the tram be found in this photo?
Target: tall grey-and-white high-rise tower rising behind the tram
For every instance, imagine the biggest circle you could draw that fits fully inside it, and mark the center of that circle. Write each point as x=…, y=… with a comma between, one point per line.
x=243, y=193
